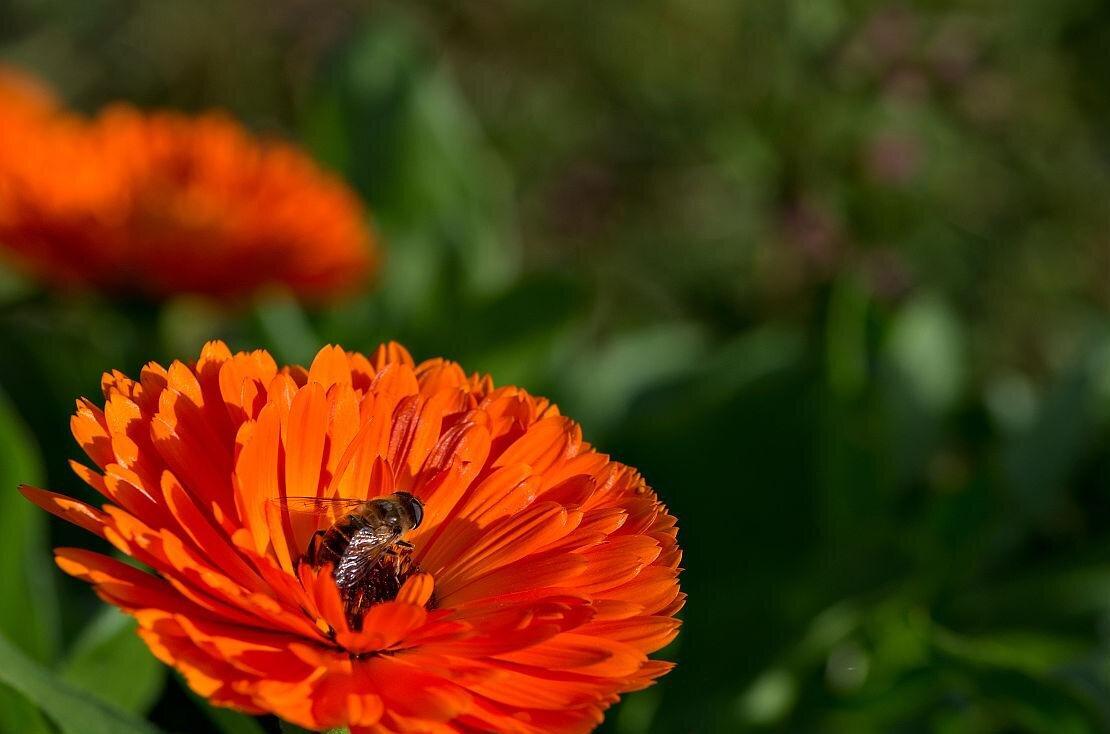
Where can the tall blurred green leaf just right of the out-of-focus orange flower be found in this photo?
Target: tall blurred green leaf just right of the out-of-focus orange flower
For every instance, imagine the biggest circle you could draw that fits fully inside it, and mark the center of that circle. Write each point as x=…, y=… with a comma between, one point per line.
x=395, y=124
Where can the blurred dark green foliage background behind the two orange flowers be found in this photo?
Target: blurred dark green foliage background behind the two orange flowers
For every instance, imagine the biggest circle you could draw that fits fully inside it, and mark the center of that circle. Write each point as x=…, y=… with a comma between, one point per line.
x=834, y=275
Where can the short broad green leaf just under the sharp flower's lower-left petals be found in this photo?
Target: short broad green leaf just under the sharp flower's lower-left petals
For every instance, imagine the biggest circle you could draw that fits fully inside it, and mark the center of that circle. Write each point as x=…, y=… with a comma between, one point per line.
x=112, y=662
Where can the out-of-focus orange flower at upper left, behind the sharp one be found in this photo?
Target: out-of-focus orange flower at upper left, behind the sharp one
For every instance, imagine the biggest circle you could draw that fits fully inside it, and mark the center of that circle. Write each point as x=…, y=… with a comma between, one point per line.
x=164, y=204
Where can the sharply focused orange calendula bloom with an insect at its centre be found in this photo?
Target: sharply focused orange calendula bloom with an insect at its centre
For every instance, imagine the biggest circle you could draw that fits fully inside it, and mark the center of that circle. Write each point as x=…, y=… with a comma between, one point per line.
x=533, y=590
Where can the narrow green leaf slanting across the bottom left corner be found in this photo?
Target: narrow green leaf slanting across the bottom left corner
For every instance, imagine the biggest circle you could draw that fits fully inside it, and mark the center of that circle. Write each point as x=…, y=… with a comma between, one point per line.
x=75, y=711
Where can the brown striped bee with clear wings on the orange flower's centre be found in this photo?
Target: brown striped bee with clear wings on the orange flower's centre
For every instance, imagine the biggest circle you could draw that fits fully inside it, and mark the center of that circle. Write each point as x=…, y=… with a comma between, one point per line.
x=365, y=546
